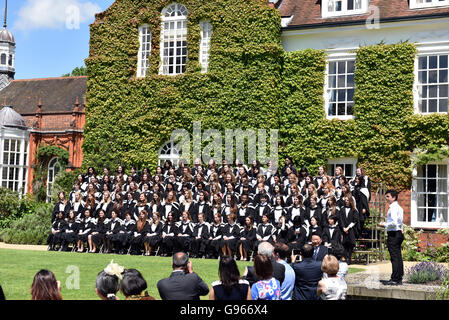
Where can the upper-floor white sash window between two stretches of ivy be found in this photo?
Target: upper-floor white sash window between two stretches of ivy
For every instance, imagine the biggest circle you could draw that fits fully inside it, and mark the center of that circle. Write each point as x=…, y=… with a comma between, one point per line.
x=339, y=87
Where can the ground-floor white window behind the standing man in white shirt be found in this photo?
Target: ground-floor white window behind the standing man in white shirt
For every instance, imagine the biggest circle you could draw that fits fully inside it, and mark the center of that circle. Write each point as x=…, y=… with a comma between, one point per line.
x=429, y=205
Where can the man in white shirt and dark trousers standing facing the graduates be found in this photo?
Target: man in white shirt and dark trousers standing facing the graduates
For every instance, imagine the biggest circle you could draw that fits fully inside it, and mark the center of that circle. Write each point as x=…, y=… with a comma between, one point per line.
x=393, y=226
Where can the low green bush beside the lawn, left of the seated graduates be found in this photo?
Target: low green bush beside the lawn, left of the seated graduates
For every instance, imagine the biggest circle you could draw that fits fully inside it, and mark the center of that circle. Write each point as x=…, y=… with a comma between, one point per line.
x=32, y=228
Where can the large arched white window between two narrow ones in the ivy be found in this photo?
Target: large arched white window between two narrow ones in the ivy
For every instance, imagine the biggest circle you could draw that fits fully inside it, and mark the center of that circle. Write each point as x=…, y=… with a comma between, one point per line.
x=174, y=39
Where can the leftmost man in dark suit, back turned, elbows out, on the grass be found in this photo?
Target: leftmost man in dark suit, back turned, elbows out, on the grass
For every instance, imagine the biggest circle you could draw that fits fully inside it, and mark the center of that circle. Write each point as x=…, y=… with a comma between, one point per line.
x=183, y=283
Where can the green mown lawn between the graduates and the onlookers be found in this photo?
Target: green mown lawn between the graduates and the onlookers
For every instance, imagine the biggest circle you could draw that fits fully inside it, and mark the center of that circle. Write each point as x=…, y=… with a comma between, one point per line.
x=18, y=267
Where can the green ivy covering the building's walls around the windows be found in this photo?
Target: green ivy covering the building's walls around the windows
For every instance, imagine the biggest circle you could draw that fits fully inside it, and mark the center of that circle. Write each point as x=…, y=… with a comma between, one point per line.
x=251, y=83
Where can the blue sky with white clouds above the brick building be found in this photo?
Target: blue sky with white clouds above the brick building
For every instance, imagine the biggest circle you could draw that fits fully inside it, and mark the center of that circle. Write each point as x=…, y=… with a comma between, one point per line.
x=52, y=36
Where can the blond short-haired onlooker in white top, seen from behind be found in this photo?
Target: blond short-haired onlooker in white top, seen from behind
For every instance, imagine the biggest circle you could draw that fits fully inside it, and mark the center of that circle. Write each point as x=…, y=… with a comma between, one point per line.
x=332, y=287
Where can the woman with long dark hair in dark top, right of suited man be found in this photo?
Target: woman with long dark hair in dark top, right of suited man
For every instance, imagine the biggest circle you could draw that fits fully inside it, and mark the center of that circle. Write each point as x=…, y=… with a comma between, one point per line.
x=229, y=287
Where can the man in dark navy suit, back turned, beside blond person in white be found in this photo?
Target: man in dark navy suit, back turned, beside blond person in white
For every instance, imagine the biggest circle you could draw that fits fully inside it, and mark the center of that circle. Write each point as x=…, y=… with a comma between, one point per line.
x=307, y=275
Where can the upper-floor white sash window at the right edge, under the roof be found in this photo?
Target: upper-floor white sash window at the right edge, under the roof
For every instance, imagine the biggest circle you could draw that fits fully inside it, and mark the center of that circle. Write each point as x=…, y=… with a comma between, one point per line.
x=432, y=84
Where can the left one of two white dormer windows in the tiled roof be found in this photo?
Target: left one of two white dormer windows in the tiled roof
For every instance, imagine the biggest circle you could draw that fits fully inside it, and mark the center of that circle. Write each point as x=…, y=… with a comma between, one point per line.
x=337, y=8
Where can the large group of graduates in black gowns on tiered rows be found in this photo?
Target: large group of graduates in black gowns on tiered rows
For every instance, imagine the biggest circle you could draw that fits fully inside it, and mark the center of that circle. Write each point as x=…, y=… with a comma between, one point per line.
x=209, y=211
